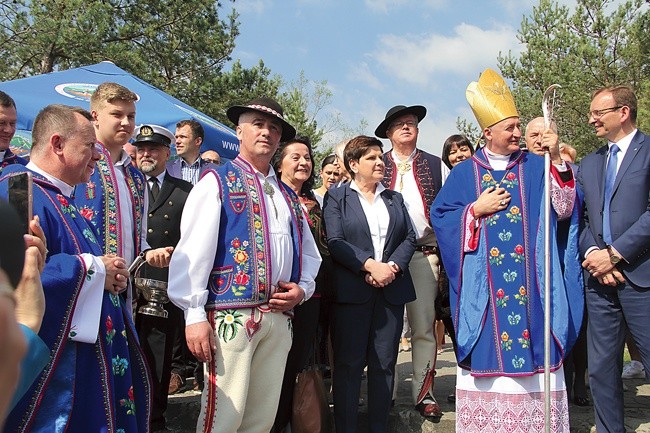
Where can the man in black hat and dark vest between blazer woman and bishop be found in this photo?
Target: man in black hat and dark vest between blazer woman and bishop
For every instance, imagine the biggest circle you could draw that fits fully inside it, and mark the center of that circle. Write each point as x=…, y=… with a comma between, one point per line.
x=418, y=176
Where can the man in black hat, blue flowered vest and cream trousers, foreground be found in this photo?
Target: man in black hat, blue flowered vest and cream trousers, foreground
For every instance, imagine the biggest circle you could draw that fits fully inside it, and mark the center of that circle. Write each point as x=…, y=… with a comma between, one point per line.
x=243, y=262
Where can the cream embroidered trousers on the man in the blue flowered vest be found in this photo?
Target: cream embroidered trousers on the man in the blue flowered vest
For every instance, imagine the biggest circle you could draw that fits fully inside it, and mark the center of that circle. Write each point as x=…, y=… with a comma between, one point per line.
x=243, y=380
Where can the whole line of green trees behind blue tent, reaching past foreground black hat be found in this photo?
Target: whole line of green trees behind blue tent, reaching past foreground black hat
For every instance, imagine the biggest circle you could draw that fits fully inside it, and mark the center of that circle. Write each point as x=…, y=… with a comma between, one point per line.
x=181, y=47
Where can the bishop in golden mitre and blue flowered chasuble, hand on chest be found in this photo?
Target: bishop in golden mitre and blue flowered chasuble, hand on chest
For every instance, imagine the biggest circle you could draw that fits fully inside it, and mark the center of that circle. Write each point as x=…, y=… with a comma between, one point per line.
x=489, y=221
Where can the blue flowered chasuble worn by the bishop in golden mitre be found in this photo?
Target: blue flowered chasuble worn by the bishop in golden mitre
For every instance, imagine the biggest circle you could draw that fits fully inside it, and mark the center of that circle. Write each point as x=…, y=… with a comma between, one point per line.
x=497, y=291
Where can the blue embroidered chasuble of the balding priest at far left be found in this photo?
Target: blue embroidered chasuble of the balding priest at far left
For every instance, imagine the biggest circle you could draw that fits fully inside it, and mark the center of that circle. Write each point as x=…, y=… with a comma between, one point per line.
x=85, y=387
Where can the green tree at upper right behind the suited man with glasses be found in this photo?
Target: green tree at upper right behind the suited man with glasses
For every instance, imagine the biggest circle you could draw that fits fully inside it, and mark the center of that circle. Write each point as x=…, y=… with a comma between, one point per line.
x=594, y=47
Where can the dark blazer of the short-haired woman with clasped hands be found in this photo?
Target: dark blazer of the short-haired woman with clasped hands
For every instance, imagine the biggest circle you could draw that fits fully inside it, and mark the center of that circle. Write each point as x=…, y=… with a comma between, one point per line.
x=350, y=244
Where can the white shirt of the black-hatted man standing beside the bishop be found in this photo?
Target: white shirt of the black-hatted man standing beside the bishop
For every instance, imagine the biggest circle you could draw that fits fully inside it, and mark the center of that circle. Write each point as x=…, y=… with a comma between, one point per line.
x=414, y=202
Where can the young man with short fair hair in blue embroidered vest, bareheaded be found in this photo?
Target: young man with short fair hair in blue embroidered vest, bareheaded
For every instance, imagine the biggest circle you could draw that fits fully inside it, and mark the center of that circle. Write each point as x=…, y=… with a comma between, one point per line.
x=114, y=198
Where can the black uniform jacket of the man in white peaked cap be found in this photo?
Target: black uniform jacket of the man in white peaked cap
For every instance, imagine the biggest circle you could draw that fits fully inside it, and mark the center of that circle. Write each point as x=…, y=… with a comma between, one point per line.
x=164, y=220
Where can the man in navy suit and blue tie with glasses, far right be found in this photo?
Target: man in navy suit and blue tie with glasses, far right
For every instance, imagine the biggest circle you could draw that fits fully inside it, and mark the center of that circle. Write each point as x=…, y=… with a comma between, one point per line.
x=615, y=242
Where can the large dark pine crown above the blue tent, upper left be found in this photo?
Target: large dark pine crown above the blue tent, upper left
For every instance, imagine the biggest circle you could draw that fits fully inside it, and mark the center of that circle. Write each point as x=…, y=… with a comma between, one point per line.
x=165, y=42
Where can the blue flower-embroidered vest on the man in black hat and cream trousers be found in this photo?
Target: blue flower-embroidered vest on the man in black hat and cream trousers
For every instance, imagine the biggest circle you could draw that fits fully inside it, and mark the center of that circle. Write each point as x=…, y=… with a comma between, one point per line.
x=241, y=275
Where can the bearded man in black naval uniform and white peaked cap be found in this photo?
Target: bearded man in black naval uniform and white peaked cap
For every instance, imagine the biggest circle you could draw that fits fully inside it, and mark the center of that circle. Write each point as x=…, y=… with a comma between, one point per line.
x=167, y=197
